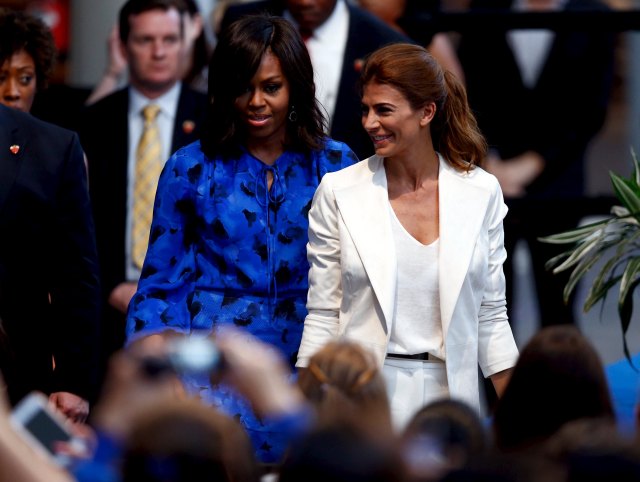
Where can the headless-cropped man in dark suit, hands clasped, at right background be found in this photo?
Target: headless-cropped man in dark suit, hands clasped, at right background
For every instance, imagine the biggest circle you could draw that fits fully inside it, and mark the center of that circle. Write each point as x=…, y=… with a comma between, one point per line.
x=540, y=97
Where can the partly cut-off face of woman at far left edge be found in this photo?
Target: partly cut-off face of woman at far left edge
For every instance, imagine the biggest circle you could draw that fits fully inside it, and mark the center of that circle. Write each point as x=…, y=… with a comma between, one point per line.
x=18, y=81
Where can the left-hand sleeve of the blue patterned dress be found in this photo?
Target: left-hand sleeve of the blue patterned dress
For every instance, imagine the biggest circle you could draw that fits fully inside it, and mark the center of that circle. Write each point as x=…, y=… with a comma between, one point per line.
x=169, y=272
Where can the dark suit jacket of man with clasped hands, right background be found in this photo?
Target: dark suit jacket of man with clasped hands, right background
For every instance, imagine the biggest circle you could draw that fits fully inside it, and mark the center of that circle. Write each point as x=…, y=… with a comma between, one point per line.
x=558, y=117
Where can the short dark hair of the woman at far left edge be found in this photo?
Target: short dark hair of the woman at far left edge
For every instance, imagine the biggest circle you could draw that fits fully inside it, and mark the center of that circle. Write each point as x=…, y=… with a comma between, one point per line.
x=22, y=31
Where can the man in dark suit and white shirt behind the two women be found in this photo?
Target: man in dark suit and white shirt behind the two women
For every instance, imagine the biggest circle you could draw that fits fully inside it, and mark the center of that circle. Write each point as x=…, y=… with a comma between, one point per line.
x=338, y=35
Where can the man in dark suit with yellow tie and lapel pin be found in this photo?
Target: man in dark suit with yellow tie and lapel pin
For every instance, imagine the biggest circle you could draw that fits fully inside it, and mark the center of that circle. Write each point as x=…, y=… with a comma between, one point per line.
x=151, y=34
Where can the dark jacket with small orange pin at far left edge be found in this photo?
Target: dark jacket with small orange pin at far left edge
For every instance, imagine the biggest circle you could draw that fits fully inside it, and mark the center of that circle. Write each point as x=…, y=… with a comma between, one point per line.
x=49, y=283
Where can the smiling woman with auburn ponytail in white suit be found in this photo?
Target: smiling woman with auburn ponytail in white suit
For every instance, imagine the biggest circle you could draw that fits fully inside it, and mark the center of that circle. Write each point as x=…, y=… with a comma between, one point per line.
x=406, y=248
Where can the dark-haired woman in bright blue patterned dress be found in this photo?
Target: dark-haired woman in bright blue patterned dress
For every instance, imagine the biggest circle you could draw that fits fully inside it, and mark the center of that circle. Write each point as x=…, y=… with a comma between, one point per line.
x=229, y=232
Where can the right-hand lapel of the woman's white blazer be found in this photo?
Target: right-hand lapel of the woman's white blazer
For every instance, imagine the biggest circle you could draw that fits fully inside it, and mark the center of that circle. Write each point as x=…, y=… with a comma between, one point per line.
x=462, y=209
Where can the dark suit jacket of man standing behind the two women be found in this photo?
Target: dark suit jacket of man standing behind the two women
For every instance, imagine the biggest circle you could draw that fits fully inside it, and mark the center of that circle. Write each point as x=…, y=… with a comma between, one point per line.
x=366, y=34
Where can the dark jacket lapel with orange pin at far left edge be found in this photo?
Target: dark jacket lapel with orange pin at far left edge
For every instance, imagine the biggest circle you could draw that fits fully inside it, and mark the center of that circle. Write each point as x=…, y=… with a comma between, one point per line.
x=9, y=162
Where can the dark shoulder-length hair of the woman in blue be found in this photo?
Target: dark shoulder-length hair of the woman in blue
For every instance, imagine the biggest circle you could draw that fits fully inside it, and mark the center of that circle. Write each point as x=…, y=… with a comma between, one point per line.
x=235, y=61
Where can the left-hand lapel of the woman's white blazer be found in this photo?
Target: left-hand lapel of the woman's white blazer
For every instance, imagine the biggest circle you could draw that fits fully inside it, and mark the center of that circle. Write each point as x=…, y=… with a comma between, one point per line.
x=364, y=208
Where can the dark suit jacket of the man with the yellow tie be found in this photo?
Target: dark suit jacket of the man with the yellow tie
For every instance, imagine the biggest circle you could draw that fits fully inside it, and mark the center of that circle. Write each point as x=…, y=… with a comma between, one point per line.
x=105, y=138
